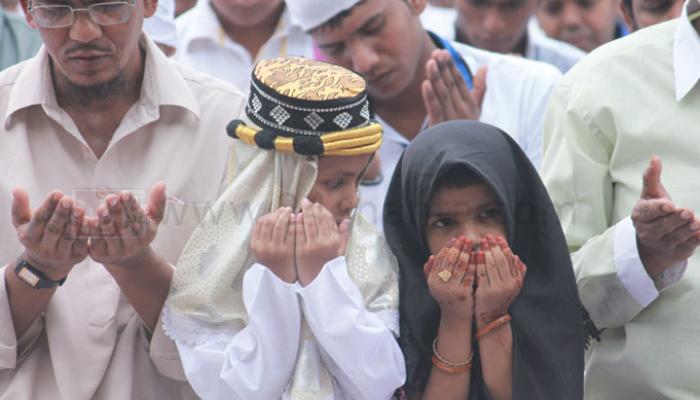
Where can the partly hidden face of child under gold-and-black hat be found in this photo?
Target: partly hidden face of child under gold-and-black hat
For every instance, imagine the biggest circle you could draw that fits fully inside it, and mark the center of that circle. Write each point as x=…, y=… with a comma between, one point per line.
x=336, y=184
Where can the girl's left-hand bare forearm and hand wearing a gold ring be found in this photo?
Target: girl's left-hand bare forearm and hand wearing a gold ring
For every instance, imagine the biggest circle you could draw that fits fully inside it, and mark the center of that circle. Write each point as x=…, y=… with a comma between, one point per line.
x=450, y=277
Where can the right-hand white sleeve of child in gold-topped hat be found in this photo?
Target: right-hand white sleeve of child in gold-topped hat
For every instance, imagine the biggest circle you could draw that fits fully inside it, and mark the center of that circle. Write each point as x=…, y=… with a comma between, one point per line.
x=357, y=347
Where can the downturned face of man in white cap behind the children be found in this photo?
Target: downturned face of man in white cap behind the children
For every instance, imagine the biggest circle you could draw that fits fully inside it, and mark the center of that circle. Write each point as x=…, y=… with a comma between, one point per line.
x=379, y=40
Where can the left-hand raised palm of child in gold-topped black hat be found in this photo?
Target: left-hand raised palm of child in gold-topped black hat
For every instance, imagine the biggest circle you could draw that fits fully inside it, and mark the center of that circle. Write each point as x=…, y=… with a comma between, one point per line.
x=272, y=243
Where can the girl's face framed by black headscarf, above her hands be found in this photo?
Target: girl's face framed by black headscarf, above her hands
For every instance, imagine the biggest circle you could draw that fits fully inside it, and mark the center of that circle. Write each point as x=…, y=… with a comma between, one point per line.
x=472, y=211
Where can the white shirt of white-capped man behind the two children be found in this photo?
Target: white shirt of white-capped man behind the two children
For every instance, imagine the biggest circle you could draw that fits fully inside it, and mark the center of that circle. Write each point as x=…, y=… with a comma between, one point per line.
x=517, y=91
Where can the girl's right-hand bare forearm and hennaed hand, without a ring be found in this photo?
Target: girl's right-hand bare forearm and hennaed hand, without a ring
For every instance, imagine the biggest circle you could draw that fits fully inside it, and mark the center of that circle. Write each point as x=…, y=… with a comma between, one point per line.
x=499, y=277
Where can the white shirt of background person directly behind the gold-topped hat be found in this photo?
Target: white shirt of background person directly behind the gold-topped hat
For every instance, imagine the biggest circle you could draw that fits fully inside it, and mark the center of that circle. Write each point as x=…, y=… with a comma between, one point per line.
x=203, y=45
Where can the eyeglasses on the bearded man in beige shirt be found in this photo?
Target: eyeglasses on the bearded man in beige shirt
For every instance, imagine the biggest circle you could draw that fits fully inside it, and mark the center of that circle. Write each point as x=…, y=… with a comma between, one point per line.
x=61, y=16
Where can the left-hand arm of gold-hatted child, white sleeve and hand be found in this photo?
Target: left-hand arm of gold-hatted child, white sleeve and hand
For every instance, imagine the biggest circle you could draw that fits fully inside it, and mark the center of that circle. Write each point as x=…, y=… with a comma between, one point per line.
x=257, y=361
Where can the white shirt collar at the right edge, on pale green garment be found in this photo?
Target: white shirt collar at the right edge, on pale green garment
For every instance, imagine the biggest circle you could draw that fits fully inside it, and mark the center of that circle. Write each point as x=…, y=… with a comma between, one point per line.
x=686, y=56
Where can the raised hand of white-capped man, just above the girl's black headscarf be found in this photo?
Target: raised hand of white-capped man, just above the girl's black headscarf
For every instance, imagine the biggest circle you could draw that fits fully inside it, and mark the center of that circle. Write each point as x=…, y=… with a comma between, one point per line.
x=445, y=93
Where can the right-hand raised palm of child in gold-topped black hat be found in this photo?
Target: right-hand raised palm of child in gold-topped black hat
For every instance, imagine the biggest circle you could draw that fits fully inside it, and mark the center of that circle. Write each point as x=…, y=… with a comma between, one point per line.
x=318, y=240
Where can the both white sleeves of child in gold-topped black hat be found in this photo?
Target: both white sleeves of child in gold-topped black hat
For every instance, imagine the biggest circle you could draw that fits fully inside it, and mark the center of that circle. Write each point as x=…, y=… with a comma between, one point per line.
x=357, y=346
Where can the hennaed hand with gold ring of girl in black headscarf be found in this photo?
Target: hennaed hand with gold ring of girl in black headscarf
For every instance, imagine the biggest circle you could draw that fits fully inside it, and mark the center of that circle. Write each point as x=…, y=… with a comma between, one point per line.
x=450, y=277
